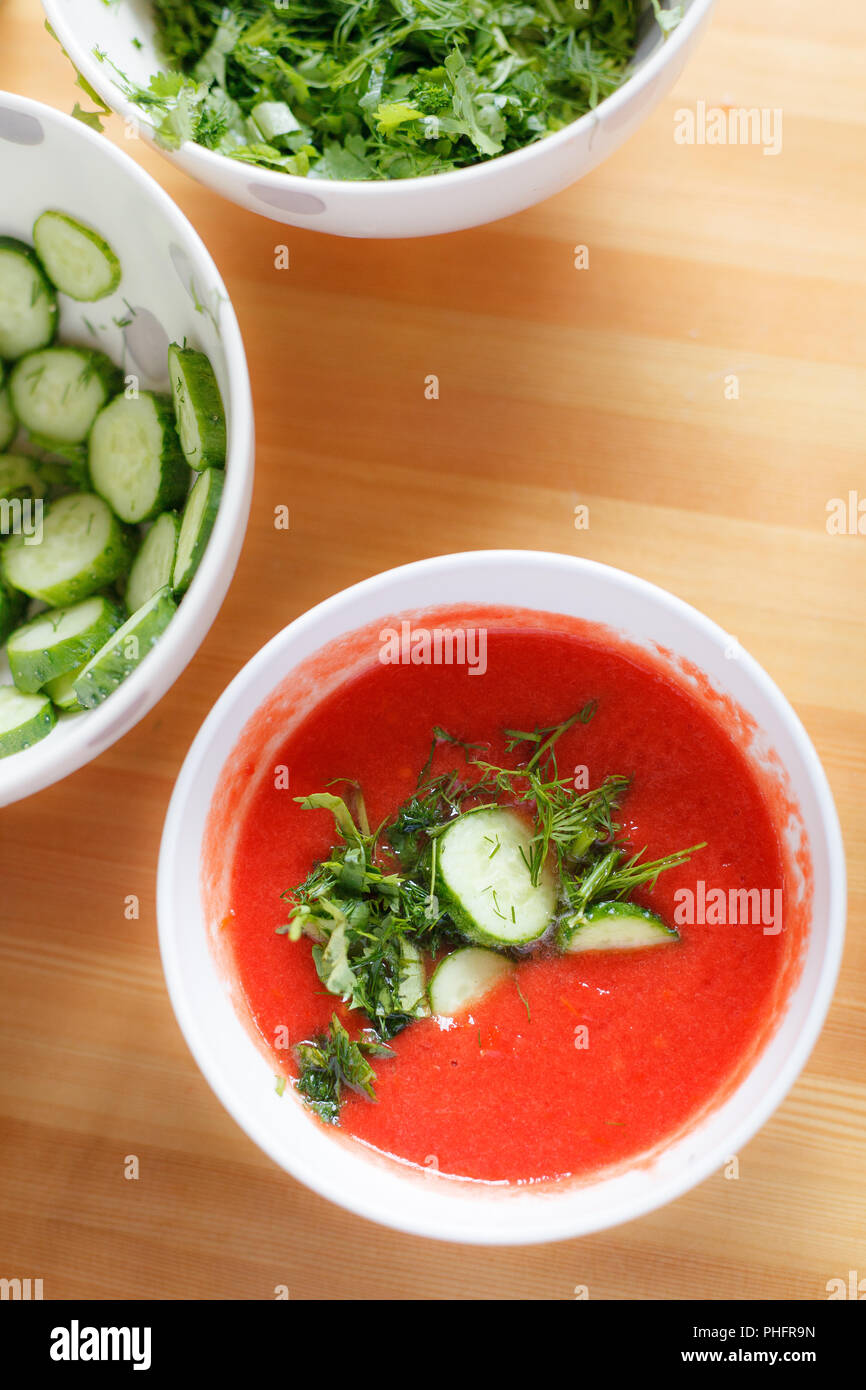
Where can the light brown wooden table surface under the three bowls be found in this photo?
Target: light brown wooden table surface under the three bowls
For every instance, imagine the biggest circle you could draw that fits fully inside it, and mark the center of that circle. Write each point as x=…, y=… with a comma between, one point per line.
x=558, y=387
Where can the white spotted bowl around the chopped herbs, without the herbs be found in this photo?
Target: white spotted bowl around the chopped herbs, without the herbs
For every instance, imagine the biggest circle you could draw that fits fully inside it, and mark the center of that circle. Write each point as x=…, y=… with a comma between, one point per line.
x=126, y=34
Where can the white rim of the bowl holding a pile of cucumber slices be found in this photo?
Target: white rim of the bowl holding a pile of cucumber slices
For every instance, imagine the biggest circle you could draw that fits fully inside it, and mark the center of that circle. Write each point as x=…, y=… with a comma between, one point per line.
x=99, y=729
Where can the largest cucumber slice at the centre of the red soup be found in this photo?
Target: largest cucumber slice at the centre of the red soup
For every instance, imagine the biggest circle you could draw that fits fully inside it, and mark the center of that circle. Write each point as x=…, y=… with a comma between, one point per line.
x=483, y=864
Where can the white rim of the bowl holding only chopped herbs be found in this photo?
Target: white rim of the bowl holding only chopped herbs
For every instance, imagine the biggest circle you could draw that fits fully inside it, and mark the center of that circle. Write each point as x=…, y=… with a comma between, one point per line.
x=201, y=161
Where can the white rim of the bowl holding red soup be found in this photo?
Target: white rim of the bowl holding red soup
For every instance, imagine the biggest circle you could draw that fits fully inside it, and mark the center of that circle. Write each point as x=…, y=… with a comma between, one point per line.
x=245, y=1113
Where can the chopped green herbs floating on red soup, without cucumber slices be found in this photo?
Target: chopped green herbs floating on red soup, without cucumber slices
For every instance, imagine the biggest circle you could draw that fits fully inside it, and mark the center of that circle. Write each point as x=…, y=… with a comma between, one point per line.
x=370, y=908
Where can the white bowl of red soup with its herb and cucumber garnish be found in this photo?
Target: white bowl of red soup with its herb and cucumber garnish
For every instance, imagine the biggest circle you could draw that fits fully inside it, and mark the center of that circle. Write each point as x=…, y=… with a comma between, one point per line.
x=518, y=913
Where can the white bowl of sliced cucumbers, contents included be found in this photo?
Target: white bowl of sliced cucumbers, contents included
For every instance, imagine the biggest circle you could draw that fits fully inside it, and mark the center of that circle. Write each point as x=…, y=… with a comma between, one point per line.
x=126, y=445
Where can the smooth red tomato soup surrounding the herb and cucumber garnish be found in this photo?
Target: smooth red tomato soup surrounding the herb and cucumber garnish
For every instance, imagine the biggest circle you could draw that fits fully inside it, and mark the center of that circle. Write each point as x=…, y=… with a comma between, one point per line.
x=575, y=1063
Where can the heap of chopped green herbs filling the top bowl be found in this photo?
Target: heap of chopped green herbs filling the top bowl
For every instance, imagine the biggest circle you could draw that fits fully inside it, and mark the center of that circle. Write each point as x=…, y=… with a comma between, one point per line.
x=375, y=90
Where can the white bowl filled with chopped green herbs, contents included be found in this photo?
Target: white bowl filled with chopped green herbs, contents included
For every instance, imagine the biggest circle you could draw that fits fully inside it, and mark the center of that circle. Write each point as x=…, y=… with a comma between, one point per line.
x=383, y=120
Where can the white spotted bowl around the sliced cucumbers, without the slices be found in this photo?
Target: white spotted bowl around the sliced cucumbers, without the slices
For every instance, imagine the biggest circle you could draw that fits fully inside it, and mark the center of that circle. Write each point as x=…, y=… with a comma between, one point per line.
x=170, y=291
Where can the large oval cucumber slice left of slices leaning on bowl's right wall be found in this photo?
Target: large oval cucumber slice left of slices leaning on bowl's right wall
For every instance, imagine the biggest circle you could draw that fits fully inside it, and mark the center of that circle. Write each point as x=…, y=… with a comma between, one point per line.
x=136, y=457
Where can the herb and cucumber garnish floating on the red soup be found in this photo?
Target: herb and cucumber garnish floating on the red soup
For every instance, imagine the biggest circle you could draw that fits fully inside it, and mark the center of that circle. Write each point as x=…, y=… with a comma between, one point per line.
x=482, y=867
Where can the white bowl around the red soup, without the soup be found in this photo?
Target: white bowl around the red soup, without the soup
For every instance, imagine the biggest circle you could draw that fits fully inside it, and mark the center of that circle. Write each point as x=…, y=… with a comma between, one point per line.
x=358, y=1178
